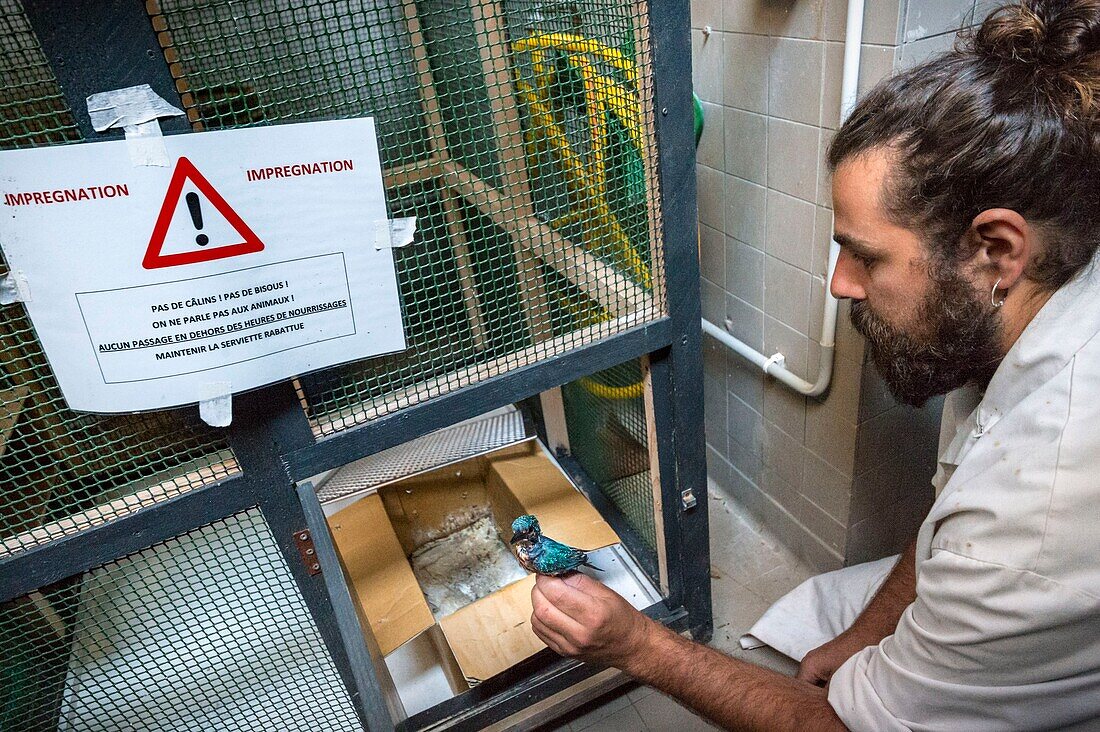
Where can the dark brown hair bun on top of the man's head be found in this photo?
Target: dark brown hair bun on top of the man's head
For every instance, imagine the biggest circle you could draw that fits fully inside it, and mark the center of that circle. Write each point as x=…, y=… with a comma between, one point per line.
x=1054, y=35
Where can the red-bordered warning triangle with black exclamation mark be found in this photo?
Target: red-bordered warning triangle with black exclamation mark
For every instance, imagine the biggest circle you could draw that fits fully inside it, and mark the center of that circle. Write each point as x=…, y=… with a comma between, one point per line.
x=194, y=244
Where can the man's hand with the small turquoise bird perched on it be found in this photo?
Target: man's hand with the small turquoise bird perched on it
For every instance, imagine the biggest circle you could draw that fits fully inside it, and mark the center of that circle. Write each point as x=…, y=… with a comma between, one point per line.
x=576, y=616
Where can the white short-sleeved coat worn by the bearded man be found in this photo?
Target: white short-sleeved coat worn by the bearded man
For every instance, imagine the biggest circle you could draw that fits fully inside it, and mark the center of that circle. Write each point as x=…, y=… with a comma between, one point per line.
x=1005, y=633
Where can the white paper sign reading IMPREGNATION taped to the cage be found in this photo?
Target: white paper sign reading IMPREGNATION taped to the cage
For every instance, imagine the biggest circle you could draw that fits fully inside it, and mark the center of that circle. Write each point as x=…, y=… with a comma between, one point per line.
x=250, y=260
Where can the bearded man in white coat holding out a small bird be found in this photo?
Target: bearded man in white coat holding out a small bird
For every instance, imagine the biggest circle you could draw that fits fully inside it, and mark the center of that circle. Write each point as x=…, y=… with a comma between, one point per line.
x=966, y=204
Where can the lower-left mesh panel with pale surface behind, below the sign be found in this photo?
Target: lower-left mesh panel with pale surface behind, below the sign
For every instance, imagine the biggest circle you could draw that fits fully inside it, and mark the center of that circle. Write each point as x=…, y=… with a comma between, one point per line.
x=207, y=631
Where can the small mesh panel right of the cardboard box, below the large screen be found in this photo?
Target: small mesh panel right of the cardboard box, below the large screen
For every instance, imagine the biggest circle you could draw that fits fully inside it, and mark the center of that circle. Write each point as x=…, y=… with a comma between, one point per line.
x=606, y=414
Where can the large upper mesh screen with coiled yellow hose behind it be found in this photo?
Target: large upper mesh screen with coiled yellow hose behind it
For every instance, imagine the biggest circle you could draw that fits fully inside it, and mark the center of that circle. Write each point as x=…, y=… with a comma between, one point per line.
x=515, y=132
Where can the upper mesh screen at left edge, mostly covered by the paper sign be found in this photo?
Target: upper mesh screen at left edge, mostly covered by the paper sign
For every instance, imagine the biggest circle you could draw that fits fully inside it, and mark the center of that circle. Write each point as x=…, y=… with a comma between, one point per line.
x=62, y=472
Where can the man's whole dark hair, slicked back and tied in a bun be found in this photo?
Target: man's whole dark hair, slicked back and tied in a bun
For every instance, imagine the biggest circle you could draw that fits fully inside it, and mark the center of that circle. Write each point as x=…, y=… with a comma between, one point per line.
x=1009, y=118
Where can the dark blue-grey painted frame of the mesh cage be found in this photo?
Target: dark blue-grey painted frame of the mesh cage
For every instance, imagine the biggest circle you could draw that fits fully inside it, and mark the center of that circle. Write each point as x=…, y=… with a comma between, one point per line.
x=277, y=449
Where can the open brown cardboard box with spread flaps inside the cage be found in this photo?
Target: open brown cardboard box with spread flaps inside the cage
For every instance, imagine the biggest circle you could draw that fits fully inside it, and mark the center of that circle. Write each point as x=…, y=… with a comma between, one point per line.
x=377, y=536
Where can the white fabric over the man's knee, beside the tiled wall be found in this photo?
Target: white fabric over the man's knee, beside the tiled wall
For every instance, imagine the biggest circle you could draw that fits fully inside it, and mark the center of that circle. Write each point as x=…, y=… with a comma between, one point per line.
x=819, y=610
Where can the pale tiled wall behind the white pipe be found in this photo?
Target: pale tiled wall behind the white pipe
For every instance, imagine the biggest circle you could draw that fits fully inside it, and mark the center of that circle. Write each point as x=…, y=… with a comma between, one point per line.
x=818, y=472
